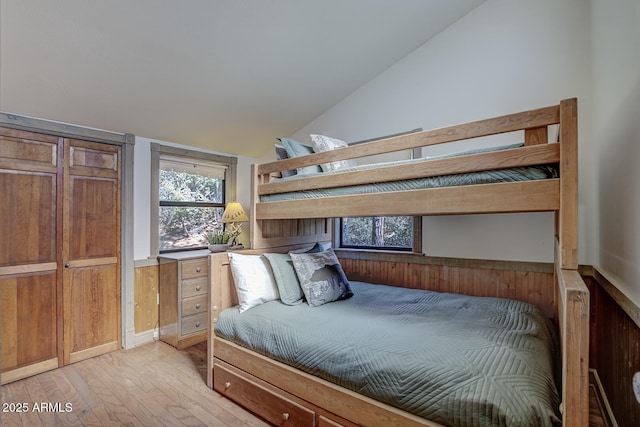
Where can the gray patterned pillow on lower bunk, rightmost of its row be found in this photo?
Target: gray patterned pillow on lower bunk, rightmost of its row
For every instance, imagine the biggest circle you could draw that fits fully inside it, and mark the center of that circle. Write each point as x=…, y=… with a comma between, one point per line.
x=321, y=277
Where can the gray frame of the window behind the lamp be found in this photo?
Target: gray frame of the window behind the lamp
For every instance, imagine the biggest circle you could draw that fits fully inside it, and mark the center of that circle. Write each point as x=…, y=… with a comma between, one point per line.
x=157, y=152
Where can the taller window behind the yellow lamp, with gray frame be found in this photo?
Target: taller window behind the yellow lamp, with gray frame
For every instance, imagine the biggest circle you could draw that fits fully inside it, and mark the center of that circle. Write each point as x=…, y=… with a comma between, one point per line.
x=188, y=201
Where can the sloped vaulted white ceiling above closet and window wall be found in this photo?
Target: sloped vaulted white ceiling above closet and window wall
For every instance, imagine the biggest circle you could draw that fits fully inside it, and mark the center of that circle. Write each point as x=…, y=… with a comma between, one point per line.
x=226, y=75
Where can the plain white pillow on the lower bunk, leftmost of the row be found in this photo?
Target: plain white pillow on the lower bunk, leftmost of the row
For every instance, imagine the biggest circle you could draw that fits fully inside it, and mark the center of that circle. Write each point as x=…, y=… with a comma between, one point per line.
x=253, y=279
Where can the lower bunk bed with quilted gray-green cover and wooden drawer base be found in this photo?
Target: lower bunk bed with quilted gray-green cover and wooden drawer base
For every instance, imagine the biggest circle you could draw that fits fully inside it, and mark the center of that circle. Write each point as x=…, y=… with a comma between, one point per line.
x=391, y=356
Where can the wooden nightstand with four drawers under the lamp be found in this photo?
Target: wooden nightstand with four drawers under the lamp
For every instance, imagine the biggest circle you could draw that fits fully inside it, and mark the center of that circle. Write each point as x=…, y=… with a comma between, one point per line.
x=184, y=297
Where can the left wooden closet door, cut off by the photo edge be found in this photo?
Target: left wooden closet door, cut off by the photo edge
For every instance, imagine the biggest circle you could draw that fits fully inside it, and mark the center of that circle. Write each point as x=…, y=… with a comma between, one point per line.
x=29, y=300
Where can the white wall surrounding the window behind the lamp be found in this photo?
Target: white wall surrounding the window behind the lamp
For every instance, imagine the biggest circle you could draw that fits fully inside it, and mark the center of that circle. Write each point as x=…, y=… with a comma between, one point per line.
x=142, y=196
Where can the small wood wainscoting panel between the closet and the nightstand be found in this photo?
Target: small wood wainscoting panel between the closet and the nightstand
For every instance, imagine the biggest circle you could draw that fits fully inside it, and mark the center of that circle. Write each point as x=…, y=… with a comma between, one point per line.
x=145, y=298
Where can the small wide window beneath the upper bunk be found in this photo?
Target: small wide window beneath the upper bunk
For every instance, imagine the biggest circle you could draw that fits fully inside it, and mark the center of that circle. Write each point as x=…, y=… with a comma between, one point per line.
x=379, y=232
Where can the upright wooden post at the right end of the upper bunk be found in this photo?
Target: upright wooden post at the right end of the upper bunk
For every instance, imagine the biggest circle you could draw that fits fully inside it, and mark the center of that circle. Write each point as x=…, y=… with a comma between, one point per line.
x=567, y=222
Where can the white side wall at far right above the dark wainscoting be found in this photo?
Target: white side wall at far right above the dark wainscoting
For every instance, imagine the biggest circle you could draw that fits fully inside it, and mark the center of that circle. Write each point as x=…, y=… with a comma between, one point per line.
x=616, y=140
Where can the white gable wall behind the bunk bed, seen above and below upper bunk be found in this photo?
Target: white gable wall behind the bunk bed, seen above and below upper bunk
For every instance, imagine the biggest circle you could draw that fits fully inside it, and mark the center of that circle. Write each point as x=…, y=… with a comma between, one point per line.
x=501, y=58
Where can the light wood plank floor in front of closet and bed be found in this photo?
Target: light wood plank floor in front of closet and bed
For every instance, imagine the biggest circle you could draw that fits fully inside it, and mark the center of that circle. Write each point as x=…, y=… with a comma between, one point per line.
x=151, y=385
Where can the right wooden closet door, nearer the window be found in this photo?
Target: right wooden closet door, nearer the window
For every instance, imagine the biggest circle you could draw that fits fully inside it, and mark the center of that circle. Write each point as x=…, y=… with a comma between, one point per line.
x=91, y=250
